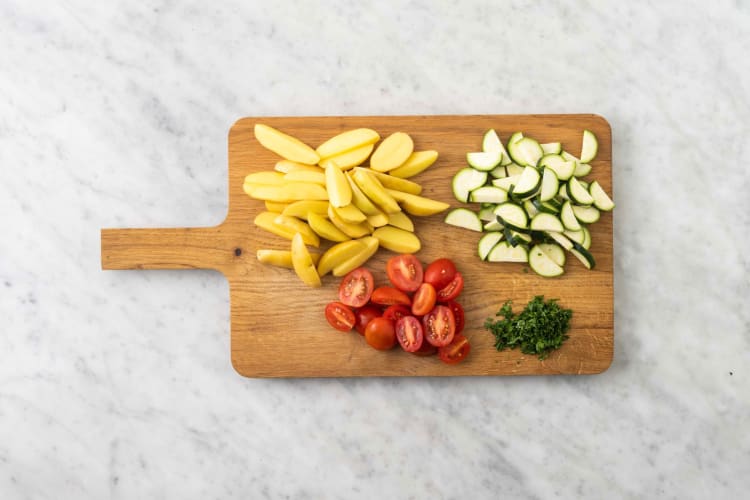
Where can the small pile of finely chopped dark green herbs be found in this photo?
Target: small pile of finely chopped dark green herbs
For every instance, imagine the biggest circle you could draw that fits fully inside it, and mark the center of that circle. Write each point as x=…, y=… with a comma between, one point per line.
x=539, y=329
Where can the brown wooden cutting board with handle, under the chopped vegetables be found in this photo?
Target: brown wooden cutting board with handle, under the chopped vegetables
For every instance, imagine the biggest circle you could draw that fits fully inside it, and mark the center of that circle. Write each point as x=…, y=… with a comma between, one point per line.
x=277, y=324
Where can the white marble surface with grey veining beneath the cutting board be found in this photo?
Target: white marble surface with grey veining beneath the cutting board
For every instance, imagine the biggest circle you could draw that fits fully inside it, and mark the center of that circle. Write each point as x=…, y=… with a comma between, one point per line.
x=119, y=385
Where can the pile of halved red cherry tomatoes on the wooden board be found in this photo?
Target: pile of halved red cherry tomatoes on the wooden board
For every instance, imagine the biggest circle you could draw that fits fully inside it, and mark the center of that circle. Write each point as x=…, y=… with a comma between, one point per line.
x=418, y=312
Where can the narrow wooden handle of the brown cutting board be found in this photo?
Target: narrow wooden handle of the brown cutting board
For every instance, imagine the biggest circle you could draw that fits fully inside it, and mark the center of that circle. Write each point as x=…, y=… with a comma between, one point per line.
x=172, y=248
